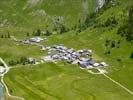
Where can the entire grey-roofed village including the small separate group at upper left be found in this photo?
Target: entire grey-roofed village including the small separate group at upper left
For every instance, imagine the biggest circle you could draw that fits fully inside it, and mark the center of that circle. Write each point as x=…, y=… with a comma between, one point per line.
x=61, y=53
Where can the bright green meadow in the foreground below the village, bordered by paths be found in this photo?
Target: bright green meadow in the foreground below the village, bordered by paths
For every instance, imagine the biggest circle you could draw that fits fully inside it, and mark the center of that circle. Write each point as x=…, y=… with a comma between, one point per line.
x=61, y=82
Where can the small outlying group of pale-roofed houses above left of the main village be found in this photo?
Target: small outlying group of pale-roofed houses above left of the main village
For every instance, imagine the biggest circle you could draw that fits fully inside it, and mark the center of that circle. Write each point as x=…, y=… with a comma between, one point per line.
x=33, y=40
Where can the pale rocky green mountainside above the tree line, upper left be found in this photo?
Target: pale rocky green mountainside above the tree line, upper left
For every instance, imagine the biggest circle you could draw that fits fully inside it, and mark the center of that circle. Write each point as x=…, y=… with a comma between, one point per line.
x=39, y=13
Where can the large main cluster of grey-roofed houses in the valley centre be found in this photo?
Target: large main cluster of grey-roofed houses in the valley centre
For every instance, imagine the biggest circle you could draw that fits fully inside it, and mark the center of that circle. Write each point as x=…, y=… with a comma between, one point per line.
x=81, y=57
